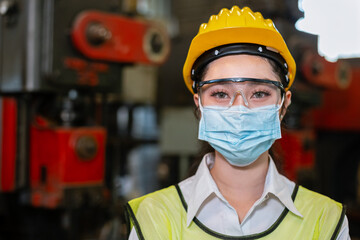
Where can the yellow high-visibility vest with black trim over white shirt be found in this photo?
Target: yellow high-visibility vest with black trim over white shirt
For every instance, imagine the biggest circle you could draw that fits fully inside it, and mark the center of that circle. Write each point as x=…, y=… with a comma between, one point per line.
x=162, y=215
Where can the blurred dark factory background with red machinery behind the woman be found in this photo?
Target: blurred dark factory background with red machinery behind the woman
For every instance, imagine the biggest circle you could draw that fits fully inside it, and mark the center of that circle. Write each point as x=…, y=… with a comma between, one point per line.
x=95, y=111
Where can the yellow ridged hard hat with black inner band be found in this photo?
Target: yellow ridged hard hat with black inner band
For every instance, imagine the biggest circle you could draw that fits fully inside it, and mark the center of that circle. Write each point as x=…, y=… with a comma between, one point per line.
x=237, y=31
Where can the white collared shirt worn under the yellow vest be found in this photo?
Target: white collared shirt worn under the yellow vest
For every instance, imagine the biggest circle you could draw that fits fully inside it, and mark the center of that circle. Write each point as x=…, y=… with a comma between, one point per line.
x=206, y=203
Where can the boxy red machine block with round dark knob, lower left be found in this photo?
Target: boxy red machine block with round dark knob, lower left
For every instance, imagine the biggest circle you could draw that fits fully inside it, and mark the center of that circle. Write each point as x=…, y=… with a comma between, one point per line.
x=62, y=158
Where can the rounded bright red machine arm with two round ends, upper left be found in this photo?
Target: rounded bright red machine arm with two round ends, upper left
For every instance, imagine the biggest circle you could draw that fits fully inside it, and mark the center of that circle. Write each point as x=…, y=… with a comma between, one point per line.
x=110, y=37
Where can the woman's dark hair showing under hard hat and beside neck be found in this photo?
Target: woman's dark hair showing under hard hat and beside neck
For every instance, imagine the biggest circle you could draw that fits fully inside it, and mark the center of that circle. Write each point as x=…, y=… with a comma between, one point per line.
x=206, y=147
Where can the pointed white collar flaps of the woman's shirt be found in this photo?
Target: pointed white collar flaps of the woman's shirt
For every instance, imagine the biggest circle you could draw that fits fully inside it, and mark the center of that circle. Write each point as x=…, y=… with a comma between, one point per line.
x=204, y=185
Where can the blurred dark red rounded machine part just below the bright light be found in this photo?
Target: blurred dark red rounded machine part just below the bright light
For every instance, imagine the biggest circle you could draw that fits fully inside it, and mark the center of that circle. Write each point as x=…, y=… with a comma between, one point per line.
x=330, y=75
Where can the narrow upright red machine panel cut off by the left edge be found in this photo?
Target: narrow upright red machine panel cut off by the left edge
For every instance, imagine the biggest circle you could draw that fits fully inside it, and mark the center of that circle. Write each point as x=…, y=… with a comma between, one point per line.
x=8, y=144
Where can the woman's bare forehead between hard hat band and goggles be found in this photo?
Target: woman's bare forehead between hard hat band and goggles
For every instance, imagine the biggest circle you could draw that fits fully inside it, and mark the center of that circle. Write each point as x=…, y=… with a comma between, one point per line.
x=240, y=66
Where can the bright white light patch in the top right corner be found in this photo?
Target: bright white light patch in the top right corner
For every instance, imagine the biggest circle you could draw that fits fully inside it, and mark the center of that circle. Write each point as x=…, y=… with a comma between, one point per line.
x=336, y=22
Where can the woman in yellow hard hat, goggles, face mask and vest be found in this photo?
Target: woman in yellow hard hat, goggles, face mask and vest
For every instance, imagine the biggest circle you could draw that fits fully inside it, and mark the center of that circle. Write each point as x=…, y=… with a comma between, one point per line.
x=240, y=70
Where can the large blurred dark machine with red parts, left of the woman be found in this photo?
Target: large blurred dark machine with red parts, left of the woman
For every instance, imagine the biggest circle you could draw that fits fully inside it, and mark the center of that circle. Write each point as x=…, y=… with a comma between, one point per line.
x=61, y=63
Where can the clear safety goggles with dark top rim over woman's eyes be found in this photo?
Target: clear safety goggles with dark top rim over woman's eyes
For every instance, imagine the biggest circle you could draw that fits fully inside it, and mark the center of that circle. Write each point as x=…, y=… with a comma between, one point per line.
x=222, y=93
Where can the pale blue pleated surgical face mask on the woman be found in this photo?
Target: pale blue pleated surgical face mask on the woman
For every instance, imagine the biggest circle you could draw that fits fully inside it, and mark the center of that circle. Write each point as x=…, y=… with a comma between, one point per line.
x=238, y=133
